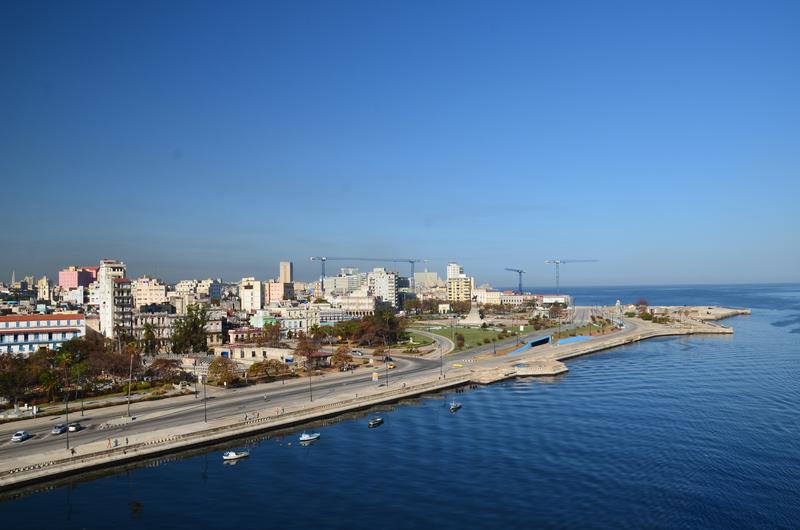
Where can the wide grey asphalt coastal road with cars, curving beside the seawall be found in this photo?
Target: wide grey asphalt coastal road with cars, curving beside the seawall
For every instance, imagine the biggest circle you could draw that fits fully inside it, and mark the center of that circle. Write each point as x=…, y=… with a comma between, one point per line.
x=110, y=423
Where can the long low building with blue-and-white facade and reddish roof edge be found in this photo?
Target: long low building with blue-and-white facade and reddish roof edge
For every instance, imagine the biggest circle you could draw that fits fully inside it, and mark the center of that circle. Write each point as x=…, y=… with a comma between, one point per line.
x=24, y=334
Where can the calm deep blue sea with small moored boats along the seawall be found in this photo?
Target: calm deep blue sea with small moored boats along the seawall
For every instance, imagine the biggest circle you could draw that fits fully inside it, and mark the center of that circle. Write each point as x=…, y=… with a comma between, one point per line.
x=699, y=432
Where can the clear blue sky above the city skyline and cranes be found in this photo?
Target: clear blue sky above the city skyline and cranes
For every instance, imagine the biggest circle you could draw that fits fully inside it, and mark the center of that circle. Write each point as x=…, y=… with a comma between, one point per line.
x=197, y=139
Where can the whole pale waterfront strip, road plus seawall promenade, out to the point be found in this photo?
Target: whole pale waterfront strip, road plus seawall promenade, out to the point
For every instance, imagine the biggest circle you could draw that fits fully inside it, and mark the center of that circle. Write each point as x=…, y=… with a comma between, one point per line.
x=112, y=439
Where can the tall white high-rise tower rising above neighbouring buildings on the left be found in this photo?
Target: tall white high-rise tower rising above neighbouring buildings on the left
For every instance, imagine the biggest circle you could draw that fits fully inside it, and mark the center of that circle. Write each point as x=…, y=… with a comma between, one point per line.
x=114, y=297
